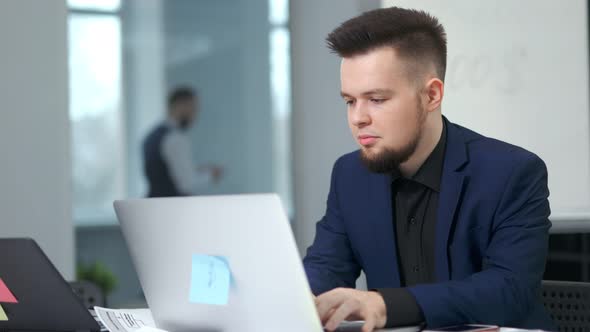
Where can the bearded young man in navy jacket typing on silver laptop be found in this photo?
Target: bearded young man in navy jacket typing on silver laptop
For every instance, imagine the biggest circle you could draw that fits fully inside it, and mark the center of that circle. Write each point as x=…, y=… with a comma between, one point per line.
x=449, y=226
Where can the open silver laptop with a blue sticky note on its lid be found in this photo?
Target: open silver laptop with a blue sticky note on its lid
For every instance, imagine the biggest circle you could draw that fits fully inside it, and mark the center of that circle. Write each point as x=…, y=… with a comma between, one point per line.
x=186, y=249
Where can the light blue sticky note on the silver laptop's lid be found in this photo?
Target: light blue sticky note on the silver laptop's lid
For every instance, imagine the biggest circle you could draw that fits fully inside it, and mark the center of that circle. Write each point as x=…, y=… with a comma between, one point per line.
x=210, y=280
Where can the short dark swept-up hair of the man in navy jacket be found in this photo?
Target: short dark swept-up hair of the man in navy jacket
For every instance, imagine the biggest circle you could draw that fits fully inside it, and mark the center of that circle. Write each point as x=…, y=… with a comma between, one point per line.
x=416, y=36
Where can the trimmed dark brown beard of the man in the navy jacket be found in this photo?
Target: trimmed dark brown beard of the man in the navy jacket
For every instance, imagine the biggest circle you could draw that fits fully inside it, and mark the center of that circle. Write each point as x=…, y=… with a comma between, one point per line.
x=388, y=160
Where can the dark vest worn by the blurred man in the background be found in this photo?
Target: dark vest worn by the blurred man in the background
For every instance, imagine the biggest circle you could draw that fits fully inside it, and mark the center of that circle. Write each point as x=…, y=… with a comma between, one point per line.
x=155, y=167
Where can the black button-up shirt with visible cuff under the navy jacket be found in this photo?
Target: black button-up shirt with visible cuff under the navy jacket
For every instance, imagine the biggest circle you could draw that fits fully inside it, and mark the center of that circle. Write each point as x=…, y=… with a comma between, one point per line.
x=415, y=202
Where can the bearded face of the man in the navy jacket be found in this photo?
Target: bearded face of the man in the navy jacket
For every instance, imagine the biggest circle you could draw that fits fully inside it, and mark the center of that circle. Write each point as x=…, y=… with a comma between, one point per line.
x=385, y=114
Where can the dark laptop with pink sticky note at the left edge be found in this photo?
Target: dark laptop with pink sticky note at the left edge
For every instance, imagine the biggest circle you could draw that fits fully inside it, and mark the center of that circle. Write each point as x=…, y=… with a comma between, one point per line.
x=45, y=301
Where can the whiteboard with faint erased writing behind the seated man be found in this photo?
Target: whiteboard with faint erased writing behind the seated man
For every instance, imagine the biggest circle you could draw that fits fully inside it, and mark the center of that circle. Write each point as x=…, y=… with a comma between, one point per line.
x=518, y=71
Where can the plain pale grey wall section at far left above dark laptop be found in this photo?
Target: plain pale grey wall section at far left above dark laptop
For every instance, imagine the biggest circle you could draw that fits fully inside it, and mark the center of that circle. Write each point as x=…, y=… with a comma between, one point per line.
x=35, y=185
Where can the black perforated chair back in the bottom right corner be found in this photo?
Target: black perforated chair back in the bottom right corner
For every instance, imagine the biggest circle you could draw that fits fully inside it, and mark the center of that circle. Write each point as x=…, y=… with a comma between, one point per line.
x=568, y=303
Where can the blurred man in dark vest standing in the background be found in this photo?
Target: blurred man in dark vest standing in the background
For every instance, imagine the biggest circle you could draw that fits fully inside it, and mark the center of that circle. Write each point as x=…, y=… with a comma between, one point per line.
x=167, y=151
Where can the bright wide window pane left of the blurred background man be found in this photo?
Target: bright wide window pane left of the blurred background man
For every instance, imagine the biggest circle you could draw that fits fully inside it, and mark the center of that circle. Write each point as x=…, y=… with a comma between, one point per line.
x=97, y=122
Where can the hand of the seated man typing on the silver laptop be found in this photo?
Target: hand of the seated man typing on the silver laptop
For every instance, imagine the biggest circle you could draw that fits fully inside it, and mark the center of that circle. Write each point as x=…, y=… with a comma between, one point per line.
x=351, y=304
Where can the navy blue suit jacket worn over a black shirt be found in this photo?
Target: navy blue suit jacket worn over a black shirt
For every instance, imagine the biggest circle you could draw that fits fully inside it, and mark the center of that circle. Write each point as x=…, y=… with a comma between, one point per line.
x=491, y=234
